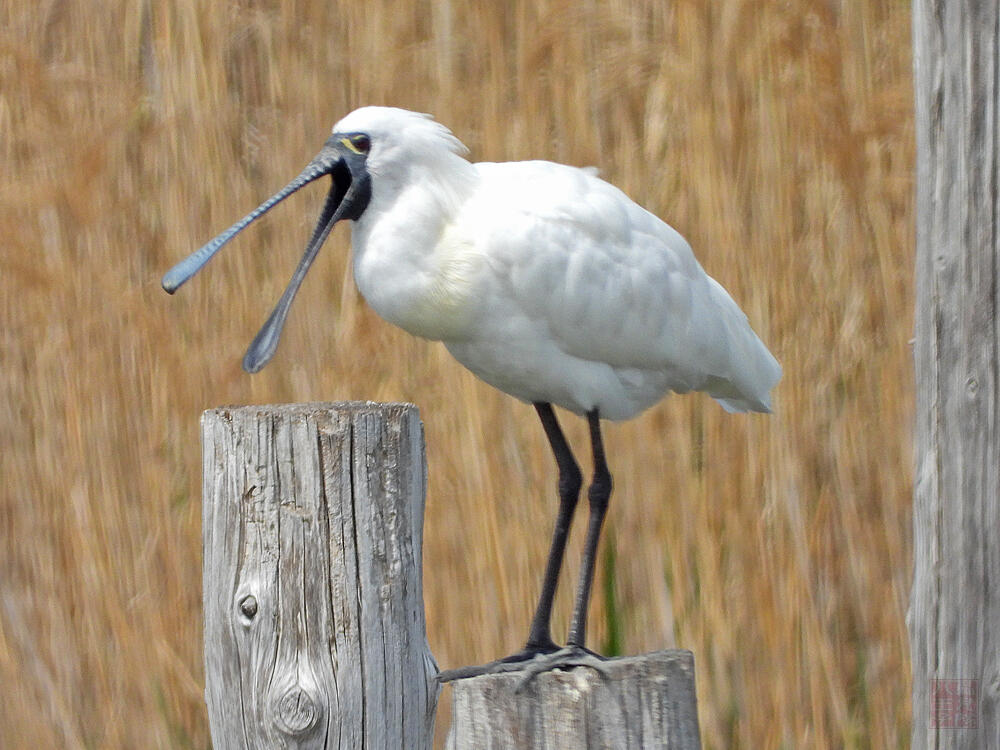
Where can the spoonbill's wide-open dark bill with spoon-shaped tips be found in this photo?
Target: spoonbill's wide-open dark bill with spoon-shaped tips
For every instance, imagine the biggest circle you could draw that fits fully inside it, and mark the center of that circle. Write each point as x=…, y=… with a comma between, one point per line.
x=349, y=194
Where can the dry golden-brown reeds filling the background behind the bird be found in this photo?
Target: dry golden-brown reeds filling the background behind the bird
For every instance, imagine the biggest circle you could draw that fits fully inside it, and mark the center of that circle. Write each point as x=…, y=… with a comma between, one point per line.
x=776, y=136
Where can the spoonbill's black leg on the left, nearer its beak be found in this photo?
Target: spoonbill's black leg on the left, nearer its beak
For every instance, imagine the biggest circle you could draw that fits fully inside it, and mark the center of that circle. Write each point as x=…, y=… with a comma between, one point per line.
x=570, y=480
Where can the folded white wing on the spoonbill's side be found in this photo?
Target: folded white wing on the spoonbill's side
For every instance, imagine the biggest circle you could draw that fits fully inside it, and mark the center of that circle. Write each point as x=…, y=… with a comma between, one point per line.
x=611, y=282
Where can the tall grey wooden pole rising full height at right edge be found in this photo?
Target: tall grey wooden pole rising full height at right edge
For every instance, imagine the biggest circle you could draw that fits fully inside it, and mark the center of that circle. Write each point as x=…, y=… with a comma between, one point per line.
x=955, y=609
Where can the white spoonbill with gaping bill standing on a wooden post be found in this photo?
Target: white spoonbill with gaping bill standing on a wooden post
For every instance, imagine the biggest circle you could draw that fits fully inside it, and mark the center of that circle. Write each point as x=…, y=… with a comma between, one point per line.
x=547, y=282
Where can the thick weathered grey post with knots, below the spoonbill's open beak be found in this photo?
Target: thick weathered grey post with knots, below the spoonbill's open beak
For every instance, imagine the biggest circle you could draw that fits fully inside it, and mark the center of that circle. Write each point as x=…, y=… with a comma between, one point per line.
x=314, y=620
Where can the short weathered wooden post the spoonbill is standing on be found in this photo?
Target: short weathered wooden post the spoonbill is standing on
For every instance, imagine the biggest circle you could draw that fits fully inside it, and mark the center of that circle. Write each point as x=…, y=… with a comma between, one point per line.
x=640, y=702
